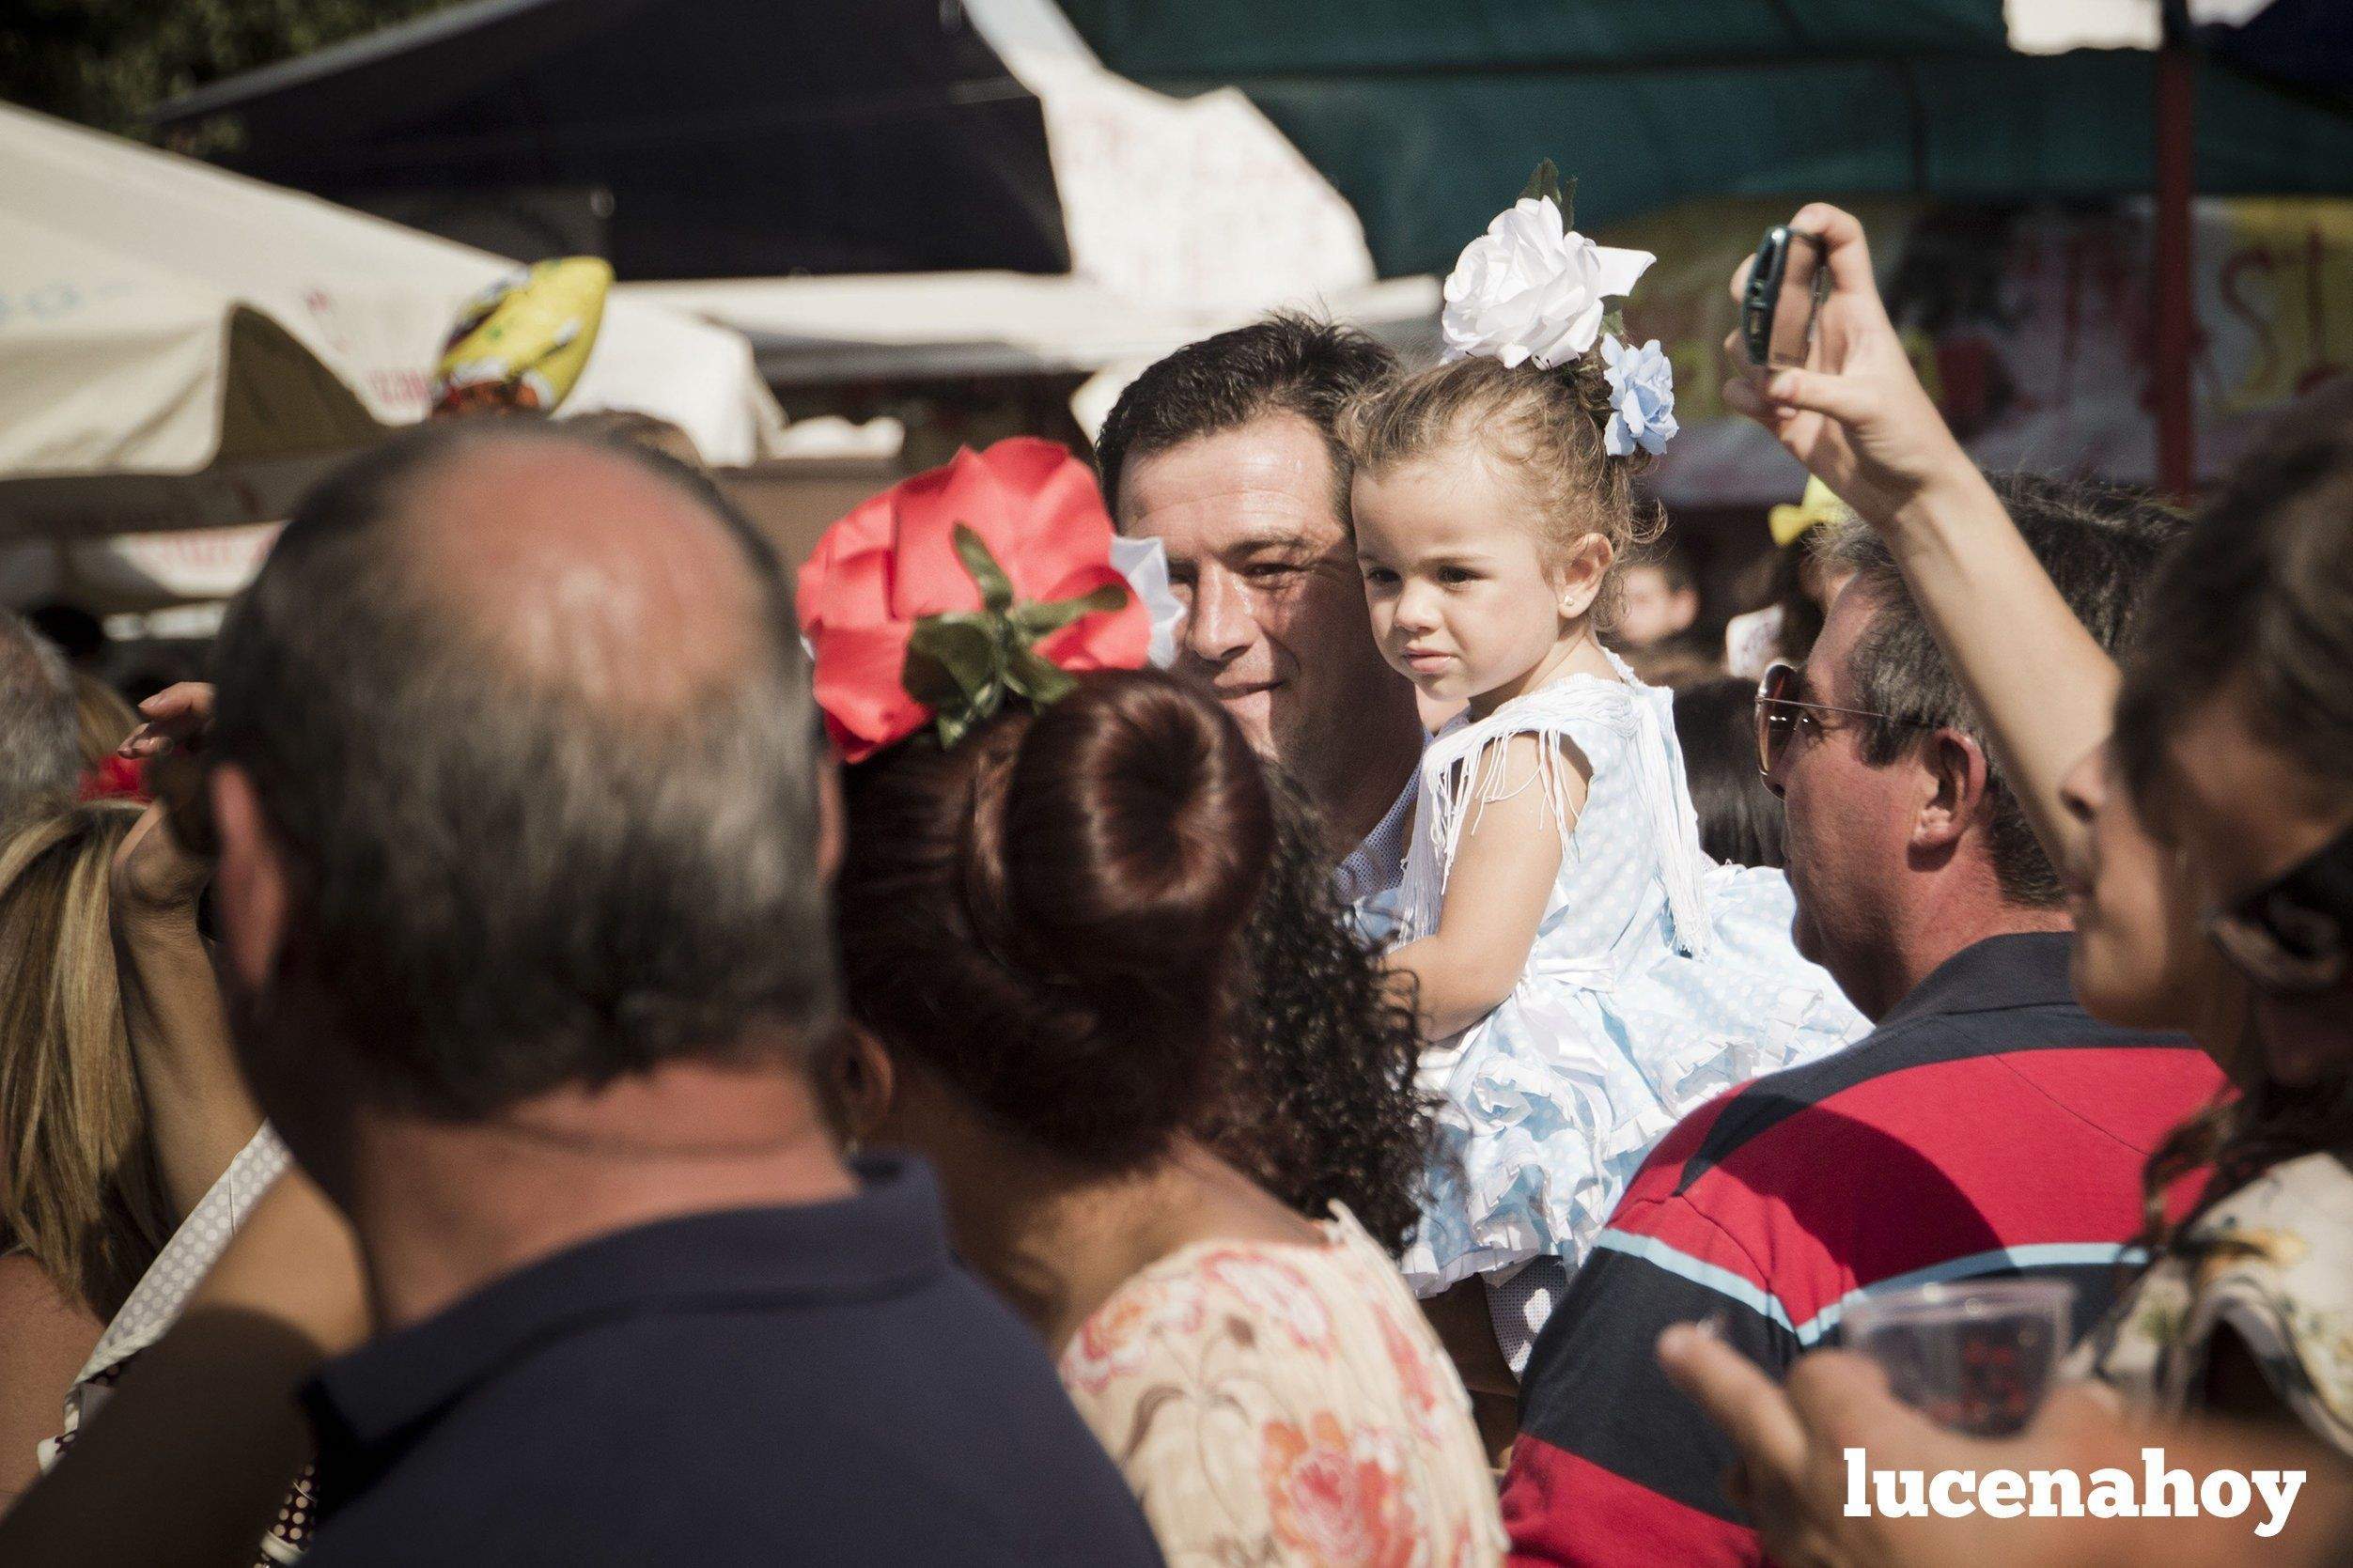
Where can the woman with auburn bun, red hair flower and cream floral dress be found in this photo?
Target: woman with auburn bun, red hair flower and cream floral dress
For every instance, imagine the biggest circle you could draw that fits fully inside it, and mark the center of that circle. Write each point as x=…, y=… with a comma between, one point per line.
x=1048, y=869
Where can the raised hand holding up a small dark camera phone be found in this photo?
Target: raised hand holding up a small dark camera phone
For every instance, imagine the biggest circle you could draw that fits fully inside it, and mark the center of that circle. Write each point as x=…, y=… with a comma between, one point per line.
x=1858, y=417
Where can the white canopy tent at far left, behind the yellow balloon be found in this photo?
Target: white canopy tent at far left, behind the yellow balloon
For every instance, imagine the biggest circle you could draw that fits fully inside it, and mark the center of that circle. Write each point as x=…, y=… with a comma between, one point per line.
x=185, y=347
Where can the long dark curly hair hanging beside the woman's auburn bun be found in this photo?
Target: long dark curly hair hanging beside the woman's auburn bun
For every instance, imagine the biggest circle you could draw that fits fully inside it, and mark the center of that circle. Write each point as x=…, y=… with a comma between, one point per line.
x=1319, y=1094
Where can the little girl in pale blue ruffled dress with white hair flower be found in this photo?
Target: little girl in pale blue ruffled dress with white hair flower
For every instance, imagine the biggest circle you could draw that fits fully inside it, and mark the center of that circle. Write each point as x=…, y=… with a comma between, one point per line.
x=1582, y=970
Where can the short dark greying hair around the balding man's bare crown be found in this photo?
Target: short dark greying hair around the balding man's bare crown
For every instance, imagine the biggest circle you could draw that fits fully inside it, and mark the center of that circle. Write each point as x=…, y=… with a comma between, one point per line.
x=500, y=883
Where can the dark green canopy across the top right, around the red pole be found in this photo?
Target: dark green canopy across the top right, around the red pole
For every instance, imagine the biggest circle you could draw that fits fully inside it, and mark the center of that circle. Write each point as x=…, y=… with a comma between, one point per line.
x=1427, y=114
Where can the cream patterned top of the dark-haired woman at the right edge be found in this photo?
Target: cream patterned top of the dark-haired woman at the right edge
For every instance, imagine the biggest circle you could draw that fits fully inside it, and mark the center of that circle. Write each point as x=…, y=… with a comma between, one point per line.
x=2274, y=1266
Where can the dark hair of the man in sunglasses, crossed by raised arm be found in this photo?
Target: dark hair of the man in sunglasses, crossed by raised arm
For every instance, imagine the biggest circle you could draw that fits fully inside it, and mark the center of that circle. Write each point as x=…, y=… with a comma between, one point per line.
x=2098, y=542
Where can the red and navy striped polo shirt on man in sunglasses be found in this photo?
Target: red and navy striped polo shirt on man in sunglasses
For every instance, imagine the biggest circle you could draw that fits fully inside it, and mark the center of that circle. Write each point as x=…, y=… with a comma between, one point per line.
x=1987, y=1127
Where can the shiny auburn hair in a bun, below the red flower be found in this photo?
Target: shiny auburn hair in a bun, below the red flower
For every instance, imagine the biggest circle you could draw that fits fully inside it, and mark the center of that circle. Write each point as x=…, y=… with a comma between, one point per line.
x=1105, y=862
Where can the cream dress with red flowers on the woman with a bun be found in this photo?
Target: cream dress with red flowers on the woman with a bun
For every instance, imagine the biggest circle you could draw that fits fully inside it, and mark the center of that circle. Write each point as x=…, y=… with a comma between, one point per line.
x=1286, y=1407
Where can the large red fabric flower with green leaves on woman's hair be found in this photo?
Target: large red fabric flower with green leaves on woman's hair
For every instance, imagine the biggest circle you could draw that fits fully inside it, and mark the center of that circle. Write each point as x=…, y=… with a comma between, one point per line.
x=893, y=579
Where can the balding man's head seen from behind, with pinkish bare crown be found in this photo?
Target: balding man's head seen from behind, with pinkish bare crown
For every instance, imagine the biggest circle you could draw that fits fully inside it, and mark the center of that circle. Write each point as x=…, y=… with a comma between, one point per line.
x=531, y=725
